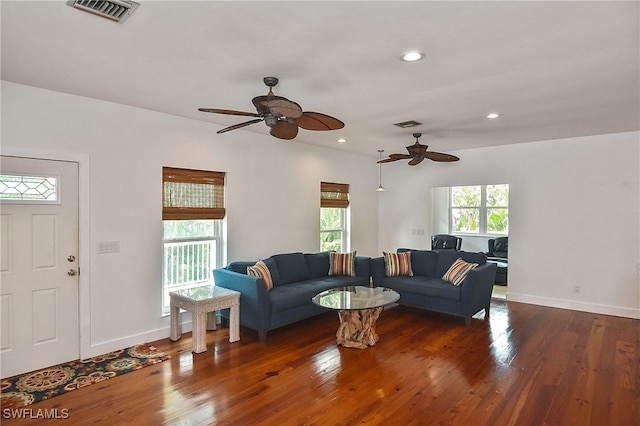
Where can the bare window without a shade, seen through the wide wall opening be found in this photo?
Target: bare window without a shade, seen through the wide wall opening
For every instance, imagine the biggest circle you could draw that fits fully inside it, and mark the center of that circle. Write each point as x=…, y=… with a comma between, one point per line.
x=480, y=209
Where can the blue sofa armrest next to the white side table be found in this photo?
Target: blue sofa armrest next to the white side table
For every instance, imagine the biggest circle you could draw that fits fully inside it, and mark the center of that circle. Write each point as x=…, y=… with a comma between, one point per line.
x=254, y=297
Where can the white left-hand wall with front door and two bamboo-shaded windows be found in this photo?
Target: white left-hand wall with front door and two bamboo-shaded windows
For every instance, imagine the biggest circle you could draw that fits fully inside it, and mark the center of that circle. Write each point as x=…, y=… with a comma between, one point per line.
x=121, y=151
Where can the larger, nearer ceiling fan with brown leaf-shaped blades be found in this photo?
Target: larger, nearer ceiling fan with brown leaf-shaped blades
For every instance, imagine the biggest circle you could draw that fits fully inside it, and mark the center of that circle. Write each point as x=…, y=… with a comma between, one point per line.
x=283, y=116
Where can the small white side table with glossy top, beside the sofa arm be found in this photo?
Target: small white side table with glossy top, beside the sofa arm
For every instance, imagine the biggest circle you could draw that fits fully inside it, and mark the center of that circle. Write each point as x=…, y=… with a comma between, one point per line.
x=203, y=302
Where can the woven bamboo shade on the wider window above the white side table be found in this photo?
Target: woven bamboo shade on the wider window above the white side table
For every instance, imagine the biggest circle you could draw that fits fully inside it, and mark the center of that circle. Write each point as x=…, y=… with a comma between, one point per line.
x=192, y=194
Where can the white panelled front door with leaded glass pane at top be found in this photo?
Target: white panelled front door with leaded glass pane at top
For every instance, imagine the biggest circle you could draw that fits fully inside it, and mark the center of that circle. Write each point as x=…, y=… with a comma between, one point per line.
x=39, y=270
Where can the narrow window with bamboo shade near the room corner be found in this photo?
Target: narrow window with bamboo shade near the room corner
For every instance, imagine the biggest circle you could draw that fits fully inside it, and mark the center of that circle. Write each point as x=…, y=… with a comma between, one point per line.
x=334, y=217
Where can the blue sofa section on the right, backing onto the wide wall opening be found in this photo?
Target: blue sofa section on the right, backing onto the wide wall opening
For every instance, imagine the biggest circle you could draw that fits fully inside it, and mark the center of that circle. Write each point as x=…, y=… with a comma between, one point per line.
x=426, y=289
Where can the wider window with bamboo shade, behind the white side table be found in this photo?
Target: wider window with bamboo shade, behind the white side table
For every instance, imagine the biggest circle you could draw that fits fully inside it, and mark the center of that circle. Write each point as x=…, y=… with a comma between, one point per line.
x=193, y=213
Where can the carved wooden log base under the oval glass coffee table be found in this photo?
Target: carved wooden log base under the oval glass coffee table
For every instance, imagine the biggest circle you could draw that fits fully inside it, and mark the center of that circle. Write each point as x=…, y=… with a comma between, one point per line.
x=358, y=327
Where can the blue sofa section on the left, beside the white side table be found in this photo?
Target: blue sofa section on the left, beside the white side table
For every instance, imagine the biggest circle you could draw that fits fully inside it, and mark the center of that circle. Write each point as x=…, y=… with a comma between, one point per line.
x=297, y=277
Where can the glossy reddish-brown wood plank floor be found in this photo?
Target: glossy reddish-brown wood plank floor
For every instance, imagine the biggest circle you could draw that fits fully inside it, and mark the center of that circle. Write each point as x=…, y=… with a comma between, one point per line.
x=525, y=365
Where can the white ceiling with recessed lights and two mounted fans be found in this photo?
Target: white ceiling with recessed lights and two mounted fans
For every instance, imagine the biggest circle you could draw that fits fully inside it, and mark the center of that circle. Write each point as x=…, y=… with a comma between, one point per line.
x=551, y=69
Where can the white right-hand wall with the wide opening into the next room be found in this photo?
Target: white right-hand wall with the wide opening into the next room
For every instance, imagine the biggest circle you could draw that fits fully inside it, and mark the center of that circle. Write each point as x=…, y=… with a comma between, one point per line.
x=574, y=216
